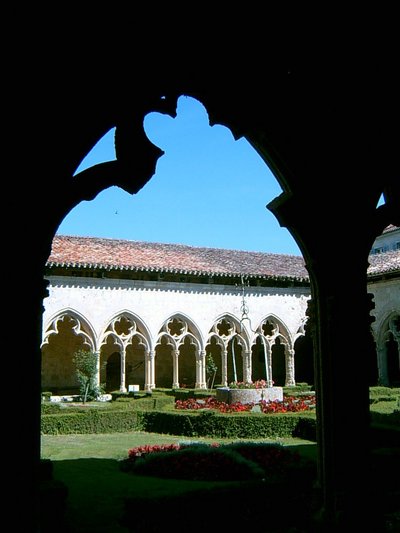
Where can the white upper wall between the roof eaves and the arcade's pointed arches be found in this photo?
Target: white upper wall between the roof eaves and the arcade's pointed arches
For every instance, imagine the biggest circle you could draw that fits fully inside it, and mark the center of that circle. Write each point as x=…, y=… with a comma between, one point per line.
x=98, y=301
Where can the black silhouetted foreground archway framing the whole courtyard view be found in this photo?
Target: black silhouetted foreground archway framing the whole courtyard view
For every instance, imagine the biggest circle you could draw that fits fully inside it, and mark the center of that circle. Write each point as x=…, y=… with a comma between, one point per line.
x=331, y=155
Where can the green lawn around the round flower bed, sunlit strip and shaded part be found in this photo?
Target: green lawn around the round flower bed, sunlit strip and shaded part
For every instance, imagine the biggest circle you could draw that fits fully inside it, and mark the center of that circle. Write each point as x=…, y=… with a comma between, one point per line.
x=89, y=467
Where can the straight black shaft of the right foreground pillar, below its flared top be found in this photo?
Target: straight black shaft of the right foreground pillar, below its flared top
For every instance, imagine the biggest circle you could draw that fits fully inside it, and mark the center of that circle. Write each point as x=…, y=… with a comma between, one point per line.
x=342, y=473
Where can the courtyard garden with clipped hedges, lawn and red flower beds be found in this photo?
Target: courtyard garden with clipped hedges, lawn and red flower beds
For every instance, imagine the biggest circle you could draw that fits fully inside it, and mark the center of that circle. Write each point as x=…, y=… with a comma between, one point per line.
x=112, y=468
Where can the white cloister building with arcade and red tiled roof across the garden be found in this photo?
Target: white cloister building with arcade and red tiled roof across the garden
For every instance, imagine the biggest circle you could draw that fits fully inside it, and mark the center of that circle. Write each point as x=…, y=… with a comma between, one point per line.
x=155, y=313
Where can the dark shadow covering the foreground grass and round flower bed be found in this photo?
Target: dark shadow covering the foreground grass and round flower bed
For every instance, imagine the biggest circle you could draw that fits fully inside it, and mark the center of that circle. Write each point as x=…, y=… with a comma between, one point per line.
x=100, y=498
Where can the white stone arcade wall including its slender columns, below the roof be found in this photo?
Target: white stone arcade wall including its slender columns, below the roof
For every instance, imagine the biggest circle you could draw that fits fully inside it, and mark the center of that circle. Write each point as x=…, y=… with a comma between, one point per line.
x=96, y=302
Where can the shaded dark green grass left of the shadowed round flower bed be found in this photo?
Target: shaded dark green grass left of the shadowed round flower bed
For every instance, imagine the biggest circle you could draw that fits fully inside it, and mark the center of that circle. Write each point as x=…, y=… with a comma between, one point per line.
x=98, y=491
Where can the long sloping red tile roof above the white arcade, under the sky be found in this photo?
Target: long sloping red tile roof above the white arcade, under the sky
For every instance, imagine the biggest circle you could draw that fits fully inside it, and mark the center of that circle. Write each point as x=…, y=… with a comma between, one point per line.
x=93, y=252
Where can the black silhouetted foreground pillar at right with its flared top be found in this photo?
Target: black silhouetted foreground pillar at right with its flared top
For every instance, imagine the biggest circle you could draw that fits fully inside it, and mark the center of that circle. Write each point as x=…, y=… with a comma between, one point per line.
x=341, y=314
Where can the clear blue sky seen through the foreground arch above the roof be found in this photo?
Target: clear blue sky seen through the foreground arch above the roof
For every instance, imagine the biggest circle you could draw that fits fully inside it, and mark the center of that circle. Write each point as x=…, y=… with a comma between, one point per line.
x=208, y=190
